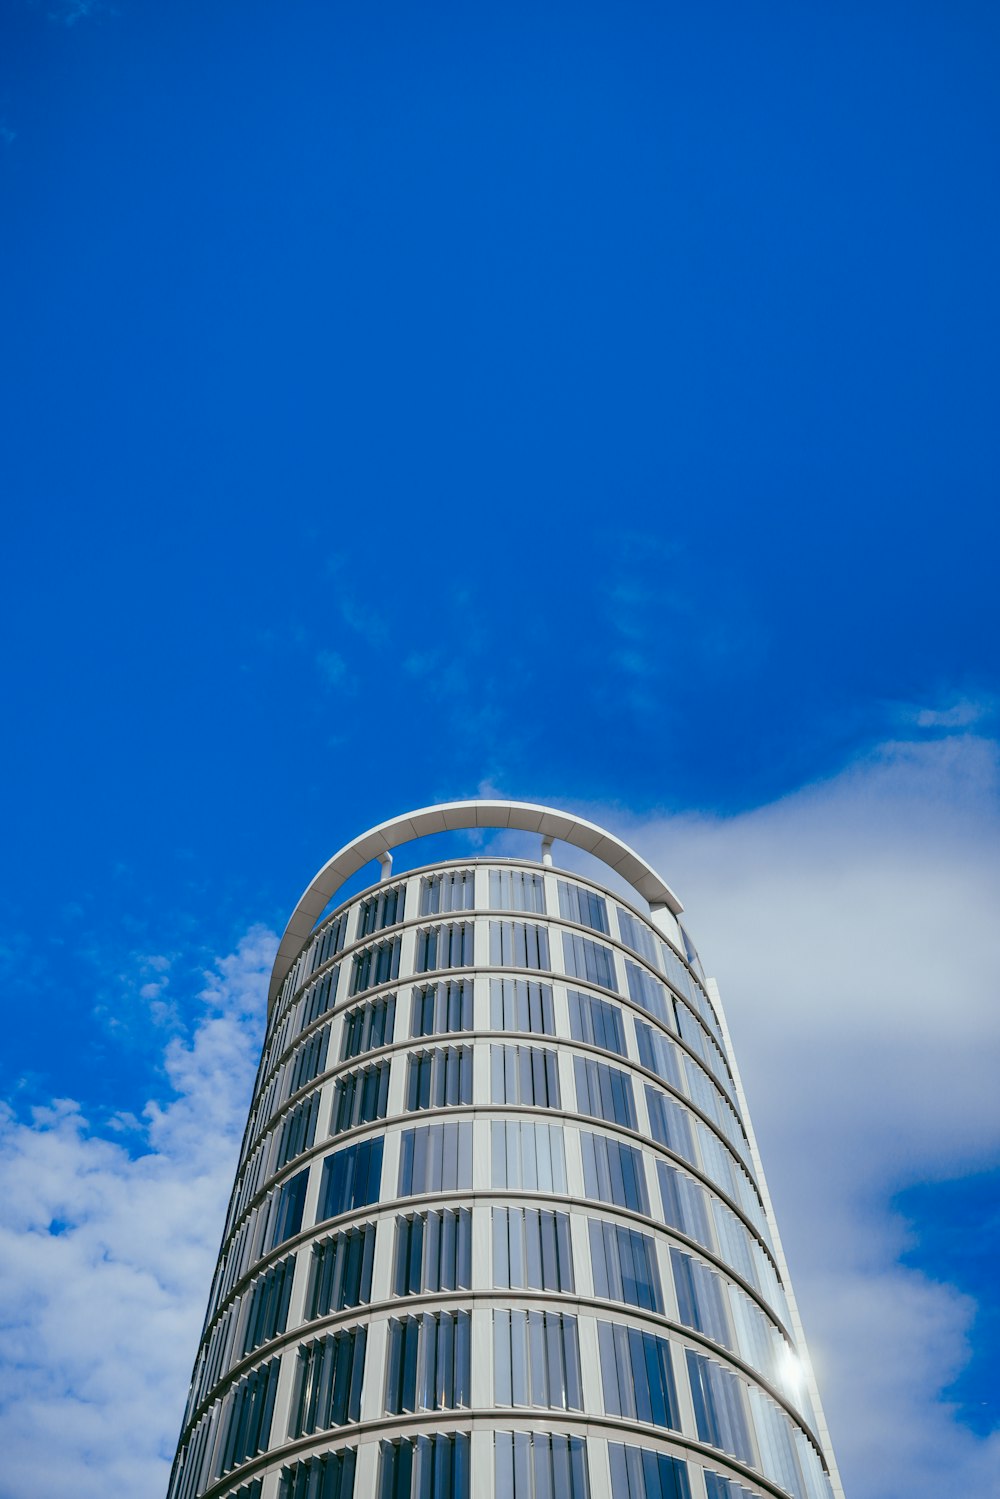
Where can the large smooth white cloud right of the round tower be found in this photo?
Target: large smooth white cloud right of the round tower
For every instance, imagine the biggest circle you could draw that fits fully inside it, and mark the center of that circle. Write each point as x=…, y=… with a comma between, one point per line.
x=852, y=929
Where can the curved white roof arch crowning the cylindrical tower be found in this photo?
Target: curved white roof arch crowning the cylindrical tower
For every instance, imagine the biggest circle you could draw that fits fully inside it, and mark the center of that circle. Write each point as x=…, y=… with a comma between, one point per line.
x=455, y=818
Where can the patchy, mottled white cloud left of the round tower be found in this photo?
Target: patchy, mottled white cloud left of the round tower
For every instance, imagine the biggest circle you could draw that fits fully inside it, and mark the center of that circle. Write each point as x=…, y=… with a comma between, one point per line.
x=106, y=1258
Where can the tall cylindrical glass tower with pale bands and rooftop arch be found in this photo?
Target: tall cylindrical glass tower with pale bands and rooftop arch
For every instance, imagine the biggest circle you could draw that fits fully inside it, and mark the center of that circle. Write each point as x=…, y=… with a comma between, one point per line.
x=500, y=1228
